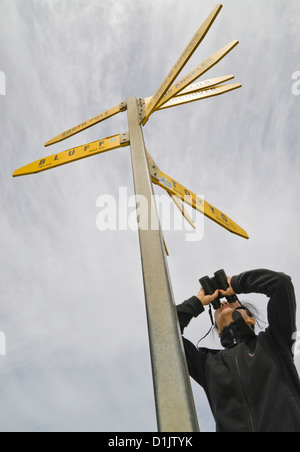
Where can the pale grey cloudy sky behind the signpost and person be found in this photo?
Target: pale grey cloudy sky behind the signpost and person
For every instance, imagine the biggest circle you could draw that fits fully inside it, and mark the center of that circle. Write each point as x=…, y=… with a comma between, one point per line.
x=71, y=299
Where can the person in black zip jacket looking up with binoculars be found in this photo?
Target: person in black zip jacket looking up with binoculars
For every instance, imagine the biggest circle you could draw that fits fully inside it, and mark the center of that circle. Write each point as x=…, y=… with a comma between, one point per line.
x=252, y=385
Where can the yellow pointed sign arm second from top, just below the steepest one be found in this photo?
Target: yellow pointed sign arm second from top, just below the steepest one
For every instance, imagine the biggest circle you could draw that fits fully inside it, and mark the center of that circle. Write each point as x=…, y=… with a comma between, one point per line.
x=197, y=72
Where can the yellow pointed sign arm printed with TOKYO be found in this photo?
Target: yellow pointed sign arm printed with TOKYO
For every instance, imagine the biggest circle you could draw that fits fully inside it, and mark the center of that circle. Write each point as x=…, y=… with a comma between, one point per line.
x=174, y=188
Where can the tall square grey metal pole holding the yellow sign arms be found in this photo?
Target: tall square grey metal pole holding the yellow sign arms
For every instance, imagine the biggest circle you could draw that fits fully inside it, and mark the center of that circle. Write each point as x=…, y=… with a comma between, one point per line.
x=173, y=396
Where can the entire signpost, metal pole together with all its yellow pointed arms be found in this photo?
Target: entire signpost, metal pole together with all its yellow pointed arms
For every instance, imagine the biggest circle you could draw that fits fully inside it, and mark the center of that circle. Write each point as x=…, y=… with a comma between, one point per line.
x=173, y=395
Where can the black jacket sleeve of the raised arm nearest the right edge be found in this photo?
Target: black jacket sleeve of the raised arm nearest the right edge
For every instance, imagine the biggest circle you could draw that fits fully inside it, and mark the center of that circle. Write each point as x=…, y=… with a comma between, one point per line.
x=282, y=305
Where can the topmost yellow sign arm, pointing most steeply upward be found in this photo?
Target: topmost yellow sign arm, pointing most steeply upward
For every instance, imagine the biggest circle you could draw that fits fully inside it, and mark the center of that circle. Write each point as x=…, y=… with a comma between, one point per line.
x=181, y=62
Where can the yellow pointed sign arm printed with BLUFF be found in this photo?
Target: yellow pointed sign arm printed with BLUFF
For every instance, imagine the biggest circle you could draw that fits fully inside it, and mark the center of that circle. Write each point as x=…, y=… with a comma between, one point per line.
x=74, y=154
